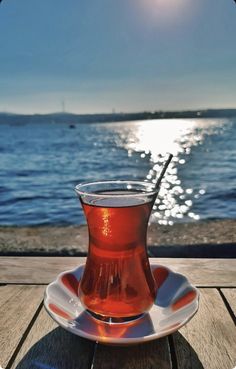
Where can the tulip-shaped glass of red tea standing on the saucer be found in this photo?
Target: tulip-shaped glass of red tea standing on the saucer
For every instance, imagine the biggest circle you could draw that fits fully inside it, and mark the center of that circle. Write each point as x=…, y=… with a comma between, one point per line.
x=117, y=284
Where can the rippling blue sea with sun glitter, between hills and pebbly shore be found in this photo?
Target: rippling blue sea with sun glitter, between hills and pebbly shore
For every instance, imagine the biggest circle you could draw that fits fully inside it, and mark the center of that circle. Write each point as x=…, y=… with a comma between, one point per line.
x=41, y=163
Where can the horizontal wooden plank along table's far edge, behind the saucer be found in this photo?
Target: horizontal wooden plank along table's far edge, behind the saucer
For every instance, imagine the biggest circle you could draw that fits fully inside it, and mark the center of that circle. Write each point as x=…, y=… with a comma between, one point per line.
x=201, y=272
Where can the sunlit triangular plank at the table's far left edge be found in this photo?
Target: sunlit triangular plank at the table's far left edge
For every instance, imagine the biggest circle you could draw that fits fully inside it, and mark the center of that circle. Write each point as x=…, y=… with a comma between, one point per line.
x=18, y=306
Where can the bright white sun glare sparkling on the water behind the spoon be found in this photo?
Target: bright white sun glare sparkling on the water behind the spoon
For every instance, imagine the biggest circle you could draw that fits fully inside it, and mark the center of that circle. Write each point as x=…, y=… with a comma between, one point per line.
x=151, y=141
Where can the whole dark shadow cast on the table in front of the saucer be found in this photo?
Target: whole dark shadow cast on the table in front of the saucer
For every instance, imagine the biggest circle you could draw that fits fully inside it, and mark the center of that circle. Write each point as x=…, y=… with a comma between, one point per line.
x=62, y=350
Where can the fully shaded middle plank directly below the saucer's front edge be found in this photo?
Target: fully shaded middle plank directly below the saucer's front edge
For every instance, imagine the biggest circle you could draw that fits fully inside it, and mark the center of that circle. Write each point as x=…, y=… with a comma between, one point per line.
x=154, y=354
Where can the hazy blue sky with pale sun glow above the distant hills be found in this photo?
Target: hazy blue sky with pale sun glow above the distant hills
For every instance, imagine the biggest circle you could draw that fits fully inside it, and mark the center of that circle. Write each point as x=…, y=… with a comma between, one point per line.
x=99, y=56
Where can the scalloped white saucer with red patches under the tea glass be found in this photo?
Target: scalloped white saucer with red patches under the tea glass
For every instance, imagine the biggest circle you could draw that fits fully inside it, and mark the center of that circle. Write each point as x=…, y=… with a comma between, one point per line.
x=175, y=304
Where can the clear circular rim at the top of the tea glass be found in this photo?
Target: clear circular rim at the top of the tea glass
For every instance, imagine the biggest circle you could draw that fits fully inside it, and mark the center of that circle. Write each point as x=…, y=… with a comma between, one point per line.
x=153, y=191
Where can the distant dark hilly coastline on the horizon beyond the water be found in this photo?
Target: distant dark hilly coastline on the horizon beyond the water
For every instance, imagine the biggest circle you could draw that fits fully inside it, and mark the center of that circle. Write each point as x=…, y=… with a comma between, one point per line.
x=115, y=117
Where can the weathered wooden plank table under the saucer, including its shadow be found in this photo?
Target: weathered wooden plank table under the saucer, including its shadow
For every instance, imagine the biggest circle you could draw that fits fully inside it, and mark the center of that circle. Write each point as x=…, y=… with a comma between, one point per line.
x=30, y=339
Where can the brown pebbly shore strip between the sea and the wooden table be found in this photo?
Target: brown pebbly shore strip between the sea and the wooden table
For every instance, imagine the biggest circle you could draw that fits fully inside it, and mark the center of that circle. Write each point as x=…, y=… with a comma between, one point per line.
x=179, y=239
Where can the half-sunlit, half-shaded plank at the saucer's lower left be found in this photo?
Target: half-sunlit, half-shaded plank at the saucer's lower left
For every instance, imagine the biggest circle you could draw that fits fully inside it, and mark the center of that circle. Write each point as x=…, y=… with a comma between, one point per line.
x=48, y=346
